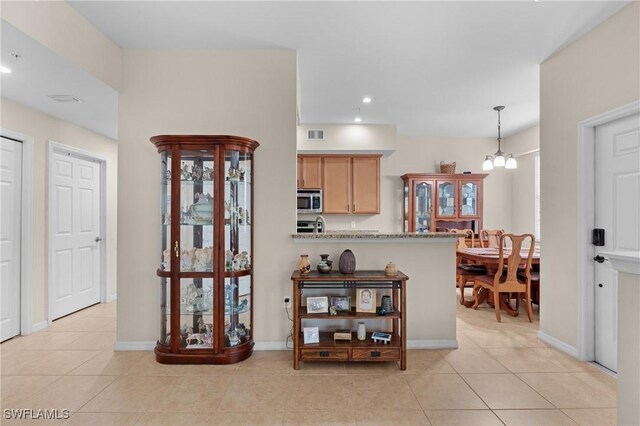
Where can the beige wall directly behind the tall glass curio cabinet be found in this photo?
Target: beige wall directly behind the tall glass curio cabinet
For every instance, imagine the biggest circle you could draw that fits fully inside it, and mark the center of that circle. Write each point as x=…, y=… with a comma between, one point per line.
x=245, y=93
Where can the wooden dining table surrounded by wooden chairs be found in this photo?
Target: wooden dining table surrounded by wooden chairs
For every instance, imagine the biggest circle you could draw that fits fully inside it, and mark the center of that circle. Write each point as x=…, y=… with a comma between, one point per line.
x=490, y=258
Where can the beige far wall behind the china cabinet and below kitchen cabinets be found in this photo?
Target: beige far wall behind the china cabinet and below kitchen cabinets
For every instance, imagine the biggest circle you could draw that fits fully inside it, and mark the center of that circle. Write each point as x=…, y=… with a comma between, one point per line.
x=423, y=155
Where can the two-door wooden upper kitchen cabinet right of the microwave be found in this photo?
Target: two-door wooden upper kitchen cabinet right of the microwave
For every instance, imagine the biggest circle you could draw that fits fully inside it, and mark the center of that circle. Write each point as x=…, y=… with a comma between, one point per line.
x=351, y=184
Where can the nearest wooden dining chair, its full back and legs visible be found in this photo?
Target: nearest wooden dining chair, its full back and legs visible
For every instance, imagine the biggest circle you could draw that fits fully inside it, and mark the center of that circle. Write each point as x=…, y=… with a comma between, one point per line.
x=506, y=279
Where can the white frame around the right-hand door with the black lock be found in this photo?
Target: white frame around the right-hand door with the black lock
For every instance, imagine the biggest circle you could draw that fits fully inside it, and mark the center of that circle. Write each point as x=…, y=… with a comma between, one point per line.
x=586, y=222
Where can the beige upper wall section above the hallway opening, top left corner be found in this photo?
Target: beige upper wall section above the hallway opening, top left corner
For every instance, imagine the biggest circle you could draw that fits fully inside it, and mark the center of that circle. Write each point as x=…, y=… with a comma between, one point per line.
x=60, y=28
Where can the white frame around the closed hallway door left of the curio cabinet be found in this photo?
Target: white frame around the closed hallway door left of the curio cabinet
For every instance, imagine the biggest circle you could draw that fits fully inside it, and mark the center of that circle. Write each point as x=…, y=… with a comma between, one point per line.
x=56, y=147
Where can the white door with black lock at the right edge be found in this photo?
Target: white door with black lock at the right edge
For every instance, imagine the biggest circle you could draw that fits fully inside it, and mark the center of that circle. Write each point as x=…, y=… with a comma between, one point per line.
x=617, y=211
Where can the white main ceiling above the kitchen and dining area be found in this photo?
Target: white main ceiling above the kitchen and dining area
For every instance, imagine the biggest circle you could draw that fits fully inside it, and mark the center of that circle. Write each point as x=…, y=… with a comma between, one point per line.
x=432, y=68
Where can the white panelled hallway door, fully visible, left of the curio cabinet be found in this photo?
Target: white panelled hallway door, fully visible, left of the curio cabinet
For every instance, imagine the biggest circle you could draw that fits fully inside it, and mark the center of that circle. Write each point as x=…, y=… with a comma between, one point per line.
x=76, y=234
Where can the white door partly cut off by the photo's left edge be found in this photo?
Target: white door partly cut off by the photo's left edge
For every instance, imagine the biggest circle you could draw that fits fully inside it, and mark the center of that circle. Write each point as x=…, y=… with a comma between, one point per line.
x=10, y=230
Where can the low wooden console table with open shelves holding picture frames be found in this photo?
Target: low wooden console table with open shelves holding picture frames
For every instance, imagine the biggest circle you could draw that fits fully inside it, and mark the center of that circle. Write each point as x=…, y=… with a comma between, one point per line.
x=354, y=351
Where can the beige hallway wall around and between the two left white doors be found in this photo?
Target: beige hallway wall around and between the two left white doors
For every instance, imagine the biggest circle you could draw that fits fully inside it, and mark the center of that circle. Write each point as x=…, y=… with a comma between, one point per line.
x=43, y=128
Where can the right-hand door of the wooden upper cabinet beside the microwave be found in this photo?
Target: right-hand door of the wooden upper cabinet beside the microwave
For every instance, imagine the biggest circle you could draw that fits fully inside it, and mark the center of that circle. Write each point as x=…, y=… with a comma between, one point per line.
x=366, y=185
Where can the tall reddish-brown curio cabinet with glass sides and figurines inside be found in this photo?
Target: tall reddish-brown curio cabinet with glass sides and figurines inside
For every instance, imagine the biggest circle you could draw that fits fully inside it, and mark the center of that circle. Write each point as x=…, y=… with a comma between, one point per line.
x=206, y=258
